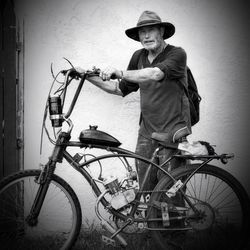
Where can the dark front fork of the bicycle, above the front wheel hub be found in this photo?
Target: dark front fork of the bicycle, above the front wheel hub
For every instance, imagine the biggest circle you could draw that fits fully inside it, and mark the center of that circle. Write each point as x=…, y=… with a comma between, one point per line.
x=45, y=178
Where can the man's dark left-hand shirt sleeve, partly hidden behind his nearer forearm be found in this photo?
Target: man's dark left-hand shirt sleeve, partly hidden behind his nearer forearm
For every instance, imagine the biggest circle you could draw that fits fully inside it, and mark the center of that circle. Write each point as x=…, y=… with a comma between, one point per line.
x=127, y=87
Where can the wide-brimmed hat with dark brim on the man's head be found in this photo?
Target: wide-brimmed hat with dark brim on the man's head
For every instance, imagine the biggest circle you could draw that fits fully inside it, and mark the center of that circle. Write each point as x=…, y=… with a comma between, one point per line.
x=149, y=18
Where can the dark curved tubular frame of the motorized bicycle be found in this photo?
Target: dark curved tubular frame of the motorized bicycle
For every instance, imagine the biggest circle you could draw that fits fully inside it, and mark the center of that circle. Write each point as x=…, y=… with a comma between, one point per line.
x=60, y=152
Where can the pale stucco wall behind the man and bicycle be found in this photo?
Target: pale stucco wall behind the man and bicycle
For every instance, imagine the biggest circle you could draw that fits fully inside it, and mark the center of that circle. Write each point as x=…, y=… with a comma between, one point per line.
x=215, y=35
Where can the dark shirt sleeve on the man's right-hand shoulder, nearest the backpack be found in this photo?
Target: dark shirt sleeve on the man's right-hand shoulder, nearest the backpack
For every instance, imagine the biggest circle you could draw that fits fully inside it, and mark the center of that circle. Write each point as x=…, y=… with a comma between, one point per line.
x=174, y=66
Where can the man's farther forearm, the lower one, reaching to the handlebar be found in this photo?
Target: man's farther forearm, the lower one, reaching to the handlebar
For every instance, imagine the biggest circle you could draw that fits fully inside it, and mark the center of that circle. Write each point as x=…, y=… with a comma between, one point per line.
x=111, y=87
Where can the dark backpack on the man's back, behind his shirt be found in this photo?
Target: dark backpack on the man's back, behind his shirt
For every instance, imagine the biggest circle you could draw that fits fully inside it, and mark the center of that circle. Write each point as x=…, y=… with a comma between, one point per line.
x=193, y=97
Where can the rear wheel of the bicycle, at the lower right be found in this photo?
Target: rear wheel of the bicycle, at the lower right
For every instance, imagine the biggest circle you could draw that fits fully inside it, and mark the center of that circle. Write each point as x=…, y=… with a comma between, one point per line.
x=217, y=230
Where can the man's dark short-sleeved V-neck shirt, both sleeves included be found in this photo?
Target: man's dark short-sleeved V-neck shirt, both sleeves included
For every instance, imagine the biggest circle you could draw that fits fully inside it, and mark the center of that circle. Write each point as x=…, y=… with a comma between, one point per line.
x=164, y=105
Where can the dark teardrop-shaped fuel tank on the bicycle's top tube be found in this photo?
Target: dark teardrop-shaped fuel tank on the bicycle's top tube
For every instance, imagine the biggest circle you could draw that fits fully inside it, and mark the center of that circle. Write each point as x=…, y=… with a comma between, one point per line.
x=94, y=136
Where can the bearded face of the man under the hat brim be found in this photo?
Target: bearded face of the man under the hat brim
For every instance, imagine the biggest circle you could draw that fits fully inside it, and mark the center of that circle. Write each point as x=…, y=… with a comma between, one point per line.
x=151, y=37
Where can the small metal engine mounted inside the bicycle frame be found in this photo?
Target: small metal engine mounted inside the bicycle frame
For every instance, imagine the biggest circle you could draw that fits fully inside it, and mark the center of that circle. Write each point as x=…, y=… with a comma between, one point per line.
x=124, y=192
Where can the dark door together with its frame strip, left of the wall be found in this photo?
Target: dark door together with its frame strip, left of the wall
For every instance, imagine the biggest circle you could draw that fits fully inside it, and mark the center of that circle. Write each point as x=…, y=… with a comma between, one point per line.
x=11, y=90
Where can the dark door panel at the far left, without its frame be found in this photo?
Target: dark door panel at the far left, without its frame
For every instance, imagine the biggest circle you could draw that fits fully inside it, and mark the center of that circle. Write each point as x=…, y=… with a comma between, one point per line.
x=8, y=90
